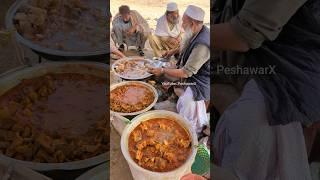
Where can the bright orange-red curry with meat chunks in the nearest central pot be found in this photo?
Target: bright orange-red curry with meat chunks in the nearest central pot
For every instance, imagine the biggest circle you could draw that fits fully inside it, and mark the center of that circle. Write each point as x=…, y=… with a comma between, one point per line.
x=159, y=145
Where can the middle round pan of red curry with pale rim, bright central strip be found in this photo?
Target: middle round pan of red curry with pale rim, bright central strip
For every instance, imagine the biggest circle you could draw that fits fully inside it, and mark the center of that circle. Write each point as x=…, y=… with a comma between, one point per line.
x=131, y=98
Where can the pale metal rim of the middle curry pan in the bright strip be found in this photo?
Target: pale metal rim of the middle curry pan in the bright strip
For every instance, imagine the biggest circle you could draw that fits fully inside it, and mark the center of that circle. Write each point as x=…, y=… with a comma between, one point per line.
x=151, y=88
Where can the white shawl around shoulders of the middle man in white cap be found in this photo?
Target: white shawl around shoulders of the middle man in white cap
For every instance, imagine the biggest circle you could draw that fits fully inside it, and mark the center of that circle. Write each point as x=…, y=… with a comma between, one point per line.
x=162, y=28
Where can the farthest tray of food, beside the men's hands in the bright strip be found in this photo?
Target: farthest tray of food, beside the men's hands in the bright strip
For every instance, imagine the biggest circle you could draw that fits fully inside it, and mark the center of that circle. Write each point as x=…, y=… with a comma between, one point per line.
x=132, y=68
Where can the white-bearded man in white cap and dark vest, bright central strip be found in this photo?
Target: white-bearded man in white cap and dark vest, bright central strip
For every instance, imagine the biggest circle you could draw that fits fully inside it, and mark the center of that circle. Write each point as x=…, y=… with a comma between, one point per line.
x=192, y=68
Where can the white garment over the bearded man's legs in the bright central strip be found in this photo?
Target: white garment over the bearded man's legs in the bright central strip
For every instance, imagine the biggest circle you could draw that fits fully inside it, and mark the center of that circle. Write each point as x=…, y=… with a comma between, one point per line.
x=194, y=111
